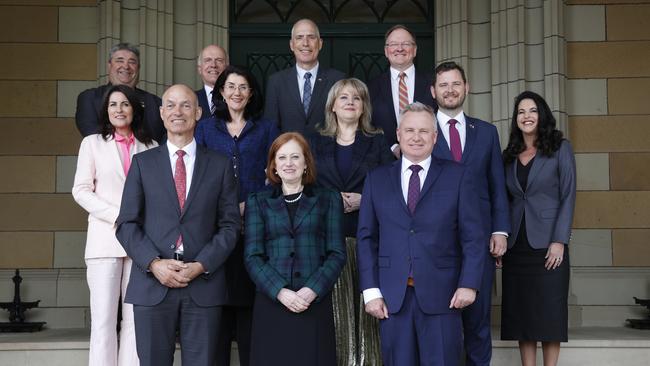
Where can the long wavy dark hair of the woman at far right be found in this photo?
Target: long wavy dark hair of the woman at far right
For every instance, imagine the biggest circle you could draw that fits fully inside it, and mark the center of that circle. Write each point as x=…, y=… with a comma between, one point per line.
x=548, y=138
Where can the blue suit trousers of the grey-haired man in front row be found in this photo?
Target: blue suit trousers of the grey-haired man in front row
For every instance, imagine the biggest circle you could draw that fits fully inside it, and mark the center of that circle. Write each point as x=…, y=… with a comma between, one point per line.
x=411, y=337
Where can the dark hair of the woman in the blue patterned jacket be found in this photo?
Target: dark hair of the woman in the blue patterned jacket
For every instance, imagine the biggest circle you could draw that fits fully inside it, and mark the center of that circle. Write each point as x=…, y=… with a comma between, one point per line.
x=253, y=109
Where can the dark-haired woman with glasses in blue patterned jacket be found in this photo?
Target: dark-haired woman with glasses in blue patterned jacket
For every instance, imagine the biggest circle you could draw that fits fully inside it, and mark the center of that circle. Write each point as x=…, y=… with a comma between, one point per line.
x=237, y=130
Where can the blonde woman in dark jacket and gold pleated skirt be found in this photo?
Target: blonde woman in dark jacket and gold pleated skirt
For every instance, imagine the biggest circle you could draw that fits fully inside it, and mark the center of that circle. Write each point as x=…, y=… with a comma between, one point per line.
x=346, y=147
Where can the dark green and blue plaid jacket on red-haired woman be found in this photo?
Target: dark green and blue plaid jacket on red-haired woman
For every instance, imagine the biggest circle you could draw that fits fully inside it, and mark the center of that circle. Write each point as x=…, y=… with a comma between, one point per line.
x=310, y=253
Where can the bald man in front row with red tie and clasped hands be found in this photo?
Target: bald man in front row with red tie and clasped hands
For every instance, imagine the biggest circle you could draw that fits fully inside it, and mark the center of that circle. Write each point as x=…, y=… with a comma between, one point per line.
x=178, y=221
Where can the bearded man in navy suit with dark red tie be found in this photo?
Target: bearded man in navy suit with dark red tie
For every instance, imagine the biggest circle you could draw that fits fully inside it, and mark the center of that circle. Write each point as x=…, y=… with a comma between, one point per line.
x=475, y=144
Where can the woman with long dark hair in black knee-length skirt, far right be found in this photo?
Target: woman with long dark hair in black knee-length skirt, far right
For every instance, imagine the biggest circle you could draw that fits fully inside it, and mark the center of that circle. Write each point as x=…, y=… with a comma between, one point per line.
x=541, y=182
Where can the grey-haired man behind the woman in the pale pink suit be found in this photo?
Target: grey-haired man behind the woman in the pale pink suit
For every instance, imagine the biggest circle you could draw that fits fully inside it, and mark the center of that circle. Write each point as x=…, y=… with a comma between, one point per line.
x=123, y=69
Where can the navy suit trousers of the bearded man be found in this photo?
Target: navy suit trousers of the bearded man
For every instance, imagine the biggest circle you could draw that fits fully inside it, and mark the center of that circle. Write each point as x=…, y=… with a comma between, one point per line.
x=476, y=321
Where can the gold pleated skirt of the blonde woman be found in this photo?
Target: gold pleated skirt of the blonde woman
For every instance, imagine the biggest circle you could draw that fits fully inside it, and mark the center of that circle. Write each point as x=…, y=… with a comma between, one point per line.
x=357, y=333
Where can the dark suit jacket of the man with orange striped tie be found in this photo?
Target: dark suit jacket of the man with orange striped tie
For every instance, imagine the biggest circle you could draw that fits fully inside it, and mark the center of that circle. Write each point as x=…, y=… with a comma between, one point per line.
x=383, y=109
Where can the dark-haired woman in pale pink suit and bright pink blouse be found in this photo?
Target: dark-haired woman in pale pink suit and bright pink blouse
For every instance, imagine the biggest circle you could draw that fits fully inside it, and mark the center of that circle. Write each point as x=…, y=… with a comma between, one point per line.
x=102, y=167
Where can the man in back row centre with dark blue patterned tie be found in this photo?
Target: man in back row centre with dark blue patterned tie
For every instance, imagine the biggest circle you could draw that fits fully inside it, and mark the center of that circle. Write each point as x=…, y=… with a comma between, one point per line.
x=295, y=97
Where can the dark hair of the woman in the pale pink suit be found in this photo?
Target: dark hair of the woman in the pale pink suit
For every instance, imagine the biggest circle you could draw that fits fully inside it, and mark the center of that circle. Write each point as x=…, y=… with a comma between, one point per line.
x=138, y=127
